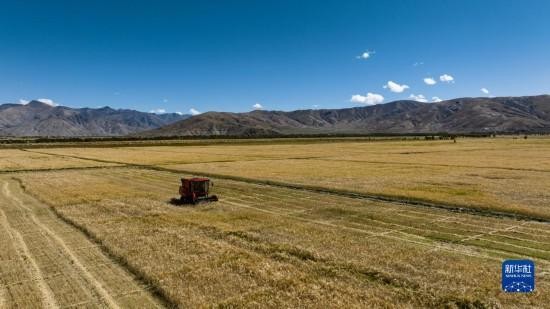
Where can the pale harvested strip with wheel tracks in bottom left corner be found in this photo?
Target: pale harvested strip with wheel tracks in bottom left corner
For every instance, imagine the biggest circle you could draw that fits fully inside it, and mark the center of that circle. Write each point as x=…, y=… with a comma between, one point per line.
x=46, y=263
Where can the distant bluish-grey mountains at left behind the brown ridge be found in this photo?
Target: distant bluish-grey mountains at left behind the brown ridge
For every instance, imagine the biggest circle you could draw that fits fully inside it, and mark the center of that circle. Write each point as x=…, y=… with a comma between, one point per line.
x=40, y=119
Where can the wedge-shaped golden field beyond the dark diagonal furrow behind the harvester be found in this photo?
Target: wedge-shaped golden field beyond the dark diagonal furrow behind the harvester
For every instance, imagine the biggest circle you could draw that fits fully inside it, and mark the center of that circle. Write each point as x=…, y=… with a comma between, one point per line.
x=500, y=174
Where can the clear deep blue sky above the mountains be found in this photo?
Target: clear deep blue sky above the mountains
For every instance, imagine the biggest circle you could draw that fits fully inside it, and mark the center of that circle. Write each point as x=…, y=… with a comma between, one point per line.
x=283, y=55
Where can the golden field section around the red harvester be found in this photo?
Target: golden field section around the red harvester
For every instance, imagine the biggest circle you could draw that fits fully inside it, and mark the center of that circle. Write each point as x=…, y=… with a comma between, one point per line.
x=282, y=247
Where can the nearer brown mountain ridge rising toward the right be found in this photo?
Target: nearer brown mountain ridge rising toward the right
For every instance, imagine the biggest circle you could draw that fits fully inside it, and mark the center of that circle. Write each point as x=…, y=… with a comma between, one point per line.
x=464, y=115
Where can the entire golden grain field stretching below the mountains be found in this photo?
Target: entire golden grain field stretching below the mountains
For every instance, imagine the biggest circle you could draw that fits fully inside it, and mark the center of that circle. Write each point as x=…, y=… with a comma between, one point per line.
x=321, y=224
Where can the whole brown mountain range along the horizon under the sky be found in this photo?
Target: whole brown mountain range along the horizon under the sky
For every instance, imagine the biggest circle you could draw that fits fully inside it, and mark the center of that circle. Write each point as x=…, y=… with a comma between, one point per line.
x=528, y=114
